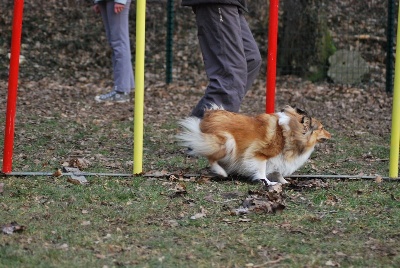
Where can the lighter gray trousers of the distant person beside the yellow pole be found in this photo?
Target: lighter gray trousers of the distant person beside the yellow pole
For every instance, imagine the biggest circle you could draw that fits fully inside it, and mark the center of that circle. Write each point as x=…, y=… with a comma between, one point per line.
x=117, y=32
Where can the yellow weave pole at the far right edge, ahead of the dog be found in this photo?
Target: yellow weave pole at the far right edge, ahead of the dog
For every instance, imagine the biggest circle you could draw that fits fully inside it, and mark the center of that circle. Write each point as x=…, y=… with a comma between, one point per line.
x=395, y=137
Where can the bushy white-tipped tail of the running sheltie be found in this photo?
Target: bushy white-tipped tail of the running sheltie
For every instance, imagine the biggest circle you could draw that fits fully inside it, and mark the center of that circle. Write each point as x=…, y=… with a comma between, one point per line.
x=197, y=142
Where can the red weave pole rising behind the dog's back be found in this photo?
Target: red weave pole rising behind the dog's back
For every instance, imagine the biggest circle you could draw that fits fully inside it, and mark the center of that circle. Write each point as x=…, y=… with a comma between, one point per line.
x=272, y=55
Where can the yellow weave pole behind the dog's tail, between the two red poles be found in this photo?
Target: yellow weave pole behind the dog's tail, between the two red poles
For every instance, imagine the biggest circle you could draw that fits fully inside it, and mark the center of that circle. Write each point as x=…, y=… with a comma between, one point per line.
x=139, y=87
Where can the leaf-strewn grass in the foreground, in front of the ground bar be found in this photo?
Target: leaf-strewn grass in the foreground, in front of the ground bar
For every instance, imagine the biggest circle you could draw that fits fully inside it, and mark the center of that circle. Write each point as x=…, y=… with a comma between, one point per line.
x=136, y=222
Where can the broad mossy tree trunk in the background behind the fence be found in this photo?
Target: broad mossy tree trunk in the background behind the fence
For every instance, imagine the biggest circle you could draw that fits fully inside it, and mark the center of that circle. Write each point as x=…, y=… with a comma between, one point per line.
x=304, y=43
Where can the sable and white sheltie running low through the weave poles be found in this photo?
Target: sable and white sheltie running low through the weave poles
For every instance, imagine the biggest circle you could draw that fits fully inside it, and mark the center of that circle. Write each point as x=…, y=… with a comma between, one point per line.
x=265, y=147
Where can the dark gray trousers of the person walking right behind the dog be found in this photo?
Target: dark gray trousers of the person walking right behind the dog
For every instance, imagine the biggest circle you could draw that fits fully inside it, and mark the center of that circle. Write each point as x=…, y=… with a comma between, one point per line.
x=231, y=56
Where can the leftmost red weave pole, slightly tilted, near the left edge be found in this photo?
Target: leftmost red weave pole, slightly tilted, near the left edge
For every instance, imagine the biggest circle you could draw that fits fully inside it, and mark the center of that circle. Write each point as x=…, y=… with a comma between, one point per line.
x=12, y=85
